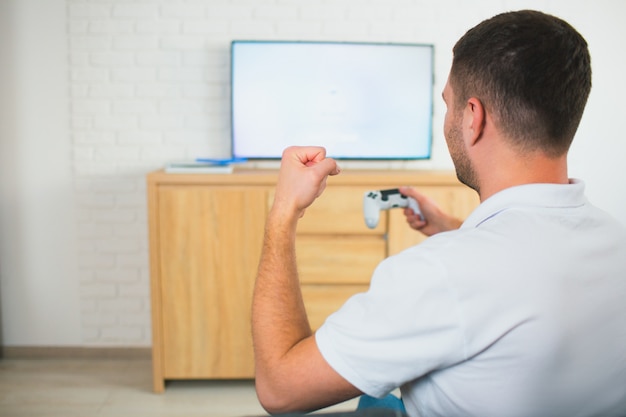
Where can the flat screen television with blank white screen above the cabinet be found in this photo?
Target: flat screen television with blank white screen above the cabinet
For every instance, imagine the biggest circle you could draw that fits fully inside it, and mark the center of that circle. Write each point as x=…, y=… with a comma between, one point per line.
x=359, y=100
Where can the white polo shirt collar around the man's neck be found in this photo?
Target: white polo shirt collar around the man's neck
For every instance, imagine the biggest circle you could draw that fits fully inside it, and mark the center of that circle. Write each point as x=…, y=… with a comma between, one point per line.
x=529, y=195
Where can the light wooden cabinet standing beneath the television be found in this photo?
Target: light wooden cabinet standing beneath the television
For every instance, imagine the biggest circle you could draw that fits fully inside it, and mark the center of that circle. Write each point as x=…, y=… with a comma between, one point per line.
x=206, y=234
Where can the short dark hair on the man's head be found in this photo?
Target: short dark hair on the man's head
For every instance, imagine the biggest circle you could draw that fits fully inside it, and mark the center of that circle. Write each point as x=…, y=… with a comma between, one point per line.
x=532, y=71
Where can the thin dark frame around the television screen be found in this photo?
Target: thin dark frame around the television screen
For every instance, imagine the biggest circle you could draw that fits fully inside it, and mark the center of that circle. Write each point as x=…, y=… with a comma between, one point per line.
x=431, y=47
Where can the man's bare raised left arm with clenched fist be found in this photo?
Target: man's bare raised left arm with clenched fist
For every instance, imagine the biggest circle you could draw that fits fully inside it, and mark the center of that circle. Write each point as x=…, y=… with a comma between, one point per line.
x=291, y=374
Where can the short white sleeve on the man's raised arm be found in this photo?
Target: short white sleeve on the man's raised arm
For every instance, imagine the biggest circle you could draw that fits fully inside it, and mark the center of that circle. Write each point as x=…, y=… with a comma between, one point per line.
x=407, y=325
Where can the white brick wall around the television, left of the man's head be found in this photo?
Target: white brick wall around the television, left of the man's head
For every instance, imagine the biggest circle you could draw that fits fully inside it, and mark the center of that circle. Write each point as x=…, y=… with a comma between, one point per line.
x=149, y=83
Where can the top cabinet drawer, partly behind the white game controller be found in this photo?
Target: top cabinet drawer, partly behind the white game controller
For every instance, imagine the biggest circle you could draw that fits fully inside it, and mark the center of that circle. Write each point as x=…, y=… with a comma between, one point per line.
x=339, y=210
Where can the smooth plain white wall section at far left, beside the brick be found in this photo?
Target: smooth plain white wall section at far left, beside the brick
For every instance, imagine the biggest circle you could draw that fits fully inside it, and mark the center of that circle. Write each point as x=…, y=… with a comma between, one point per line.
x=39, y=287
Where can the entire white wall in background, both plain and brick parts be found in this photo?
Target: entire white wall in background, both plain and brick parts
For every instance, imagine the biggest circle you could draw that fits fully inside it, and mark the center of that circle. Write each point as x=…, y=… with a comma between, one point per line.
x=147, y=82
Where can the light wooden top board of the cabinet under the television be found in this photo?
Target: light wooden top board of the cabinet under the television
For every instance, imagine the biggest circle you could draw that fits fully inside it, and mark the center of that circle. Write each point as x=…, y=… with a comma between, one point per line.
x=347, y=177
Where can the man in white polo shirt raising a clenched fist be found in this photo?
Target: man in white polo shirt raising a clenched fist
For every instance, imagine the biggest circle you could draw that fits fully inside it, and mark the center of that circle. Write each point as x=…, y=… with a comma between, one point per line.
x=518, y=311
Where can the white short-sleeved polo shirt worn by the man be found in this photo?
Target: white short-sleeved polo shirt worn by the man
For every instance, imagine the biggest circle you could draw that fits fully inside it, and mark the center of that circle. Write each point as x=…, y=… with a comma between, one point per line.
x=520, y=312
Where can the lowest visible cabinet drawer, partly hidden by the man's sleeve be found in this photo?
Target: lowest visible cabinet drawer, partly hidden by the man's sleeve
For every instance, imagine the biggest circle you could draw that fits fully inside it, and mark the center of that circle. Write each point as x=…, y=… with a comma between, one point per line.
x=322, y=300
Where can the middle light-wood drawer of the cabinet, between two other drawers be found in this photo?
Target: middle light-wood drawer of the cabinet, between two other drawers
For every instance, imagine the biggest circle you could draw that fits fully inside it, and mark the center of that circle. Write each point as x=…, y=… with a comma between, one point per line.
x=338, y=259
